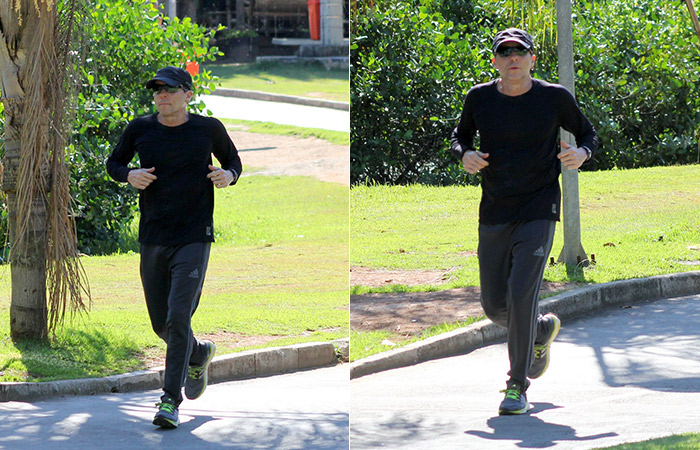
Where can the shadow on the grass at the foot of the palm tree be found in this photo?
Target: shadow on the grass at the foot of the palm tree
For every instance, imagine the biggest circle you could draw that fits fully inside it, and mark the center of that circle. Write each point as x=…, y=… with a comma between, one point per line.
x=75, y=354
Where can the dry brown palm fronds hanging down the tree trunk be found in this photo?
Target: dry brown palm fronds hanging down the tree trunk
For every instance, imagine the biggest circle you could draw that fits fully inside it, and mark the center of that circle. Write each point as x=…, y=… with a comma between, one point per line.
x=43, y=202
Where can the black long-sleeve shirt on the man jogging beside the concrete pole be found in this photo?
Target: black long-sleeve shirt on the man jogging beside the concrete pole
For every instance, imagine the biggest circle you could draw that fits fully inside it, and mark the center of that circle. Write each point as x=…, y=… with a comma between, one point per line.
x=521, y=136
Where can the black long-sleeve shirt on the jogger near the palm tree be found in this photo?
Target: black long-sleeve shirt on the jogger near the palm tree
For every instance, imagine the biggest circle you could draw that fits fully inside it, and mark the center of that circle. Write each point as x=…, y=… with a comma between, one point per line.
x=177, y=208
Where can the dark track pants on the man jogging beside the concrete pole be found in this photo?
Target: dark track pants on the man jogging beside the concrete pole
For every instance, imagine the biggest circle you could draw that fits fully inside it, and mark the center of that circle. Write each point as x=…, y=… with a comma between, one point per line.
x=512, y=258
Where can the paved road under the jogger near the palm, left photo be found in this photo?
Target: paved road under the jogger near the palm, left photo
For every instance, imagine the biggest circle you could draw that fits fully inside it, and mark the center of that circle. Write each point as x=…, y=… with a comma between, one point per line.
x=304, y=410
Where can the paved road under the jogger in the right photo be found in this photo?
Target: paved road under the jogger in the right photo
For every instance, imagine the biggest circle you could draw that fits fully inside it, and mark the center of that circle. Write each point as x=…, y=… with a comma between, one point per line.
x=621, y=376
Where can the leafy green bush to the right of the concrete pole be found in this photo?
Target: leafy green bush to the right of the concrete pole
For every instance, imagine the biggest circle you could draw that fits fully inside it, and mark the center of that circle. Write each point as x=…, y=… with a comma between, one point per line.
x=637, y=64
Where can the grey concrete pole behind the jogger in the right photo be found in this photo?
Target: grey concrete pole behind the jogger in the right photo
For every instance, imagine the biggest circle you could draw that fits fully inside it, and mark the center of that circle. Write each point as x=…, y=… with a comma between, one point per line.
x=573, y=252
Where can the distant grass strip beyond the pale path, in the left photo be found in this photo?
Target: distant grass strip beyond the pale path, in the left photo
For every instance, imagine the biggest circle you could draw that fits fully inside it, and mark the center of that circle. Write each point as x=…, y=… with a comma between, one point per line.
x=301, y=80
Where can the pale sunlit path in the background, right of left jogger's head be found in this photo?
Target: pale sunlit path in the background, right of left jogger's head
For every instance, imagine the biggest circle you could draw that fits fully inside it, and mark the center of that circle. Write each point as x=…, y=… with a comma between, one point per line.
x=282, y=113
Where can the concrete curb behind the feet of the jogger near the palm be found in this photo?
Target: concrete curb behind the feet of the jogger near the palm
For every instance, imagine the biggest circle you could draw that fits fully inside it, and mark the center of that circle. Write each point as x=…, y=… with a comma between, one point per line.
x=235, y=366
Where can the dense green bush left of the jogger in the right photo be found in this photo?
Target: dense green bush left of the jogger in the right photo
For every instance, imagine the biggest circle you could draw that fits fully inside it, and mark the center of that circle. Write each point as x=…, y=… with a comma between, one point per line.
x=409, y=67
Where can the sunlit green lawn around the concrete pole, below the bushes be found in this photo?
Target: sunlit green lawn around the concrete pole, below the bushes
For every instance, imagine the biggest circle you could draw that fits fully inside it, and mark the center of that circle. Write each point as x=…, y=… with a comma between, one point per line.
x=638, y=223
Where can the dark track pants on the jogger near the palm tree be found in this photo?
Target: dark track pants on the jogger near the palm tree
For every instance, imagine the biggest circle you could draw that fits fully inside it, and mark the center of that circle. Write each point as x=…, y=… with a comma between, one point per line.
x=172, y=278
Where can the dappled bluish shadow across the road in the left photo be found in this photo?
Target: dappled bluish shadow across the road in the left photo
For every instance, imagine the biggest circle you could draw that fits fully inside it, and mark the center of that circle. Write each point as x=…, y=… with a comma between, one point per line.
x=123, y=421
